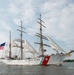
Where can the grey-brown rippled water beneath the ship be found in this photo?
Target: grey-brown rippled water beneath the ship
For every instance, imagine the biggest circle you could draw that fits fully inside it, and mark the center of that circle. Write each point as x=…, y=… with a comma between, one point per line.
x=66, y=69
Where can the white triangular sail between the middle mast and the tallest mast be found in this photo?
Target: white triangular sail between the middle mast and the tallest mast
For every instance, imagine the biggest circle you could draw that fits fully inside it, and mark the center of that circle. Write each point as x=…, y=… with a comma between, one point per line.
x=29, y=48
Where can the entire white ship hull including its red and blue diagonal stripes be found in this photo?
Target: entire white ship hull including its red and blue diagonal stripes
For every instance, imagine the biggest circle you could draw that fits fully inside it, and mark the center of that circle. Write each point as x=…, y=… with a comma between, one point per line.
x=47, y=60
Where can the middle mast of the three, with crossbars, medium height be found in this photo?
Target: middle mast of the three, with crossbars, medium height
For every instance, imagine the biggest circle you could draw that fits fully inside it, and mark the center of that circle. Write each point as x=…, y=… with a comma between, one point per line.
x=21, y=41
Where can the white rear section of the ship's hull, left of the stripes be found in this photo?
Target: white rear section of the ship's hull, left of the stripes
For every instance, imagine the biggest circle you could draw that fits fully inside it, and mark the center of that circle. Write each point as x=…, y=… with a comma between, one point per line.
x=22, y=62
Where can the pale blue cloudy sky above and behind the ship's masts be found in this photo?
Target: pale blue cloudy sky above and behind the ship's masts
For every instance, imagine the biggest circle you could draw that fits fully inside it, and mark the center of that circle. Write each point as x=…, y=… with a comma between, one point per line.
x=58, y=17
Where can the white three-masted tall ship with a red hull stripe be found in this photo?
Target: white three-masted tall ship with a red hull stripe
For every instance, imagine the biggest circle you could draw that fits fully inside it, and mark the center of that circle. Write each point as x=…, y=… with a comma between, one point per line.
x=36, y=58
